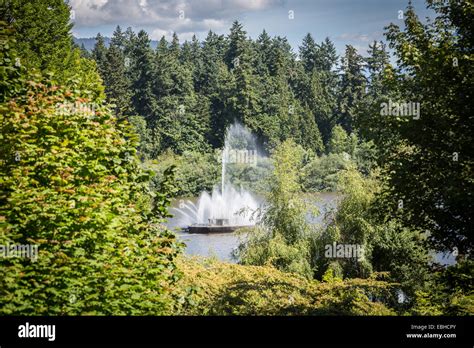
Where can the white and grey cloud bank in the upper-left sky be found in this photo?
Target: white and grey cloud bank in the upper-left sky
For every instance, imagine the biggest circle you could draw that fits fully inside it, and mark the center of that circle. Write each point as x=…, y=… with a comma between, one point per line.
x=160, y=17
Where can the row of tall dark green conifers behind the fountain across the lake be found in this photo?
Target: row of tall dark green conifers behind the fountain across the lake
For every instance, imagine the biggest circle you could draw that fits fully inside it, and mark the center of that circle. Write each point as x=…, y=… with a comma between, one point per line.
x=188, y=93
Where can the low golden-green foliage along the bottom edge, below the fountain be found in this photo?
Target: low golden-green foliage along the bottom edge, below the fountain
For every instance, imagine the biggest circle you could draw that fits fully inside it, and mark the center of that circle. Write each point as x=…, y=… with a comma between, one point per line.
x=214, y=288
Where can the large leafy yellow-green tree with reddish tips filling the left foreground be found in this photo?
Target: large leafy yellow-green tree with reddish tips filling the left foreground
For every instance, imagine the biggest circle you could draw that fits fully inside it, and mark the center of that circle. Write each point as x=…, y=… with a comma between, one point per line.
x=71, y=185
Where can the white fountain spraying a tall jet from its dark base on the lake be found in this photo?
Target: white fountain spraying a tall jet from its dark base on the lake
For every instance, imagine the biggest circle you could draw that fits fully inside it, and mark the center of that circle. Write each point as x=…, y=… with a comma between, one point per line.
x=226, y=208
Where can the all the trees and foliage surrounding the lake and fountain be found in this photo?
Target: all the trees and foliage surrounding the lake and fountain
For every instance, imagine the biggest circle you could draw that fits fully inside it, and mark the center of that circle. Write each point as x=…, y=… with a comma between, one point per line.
x=96, y=145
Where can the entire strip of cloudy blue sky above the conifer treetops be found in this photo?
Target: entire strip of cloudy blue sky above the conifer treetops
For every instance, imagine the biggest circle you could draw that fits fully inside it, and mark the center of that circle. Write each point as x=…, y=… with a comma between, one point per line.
x=355, y=22
